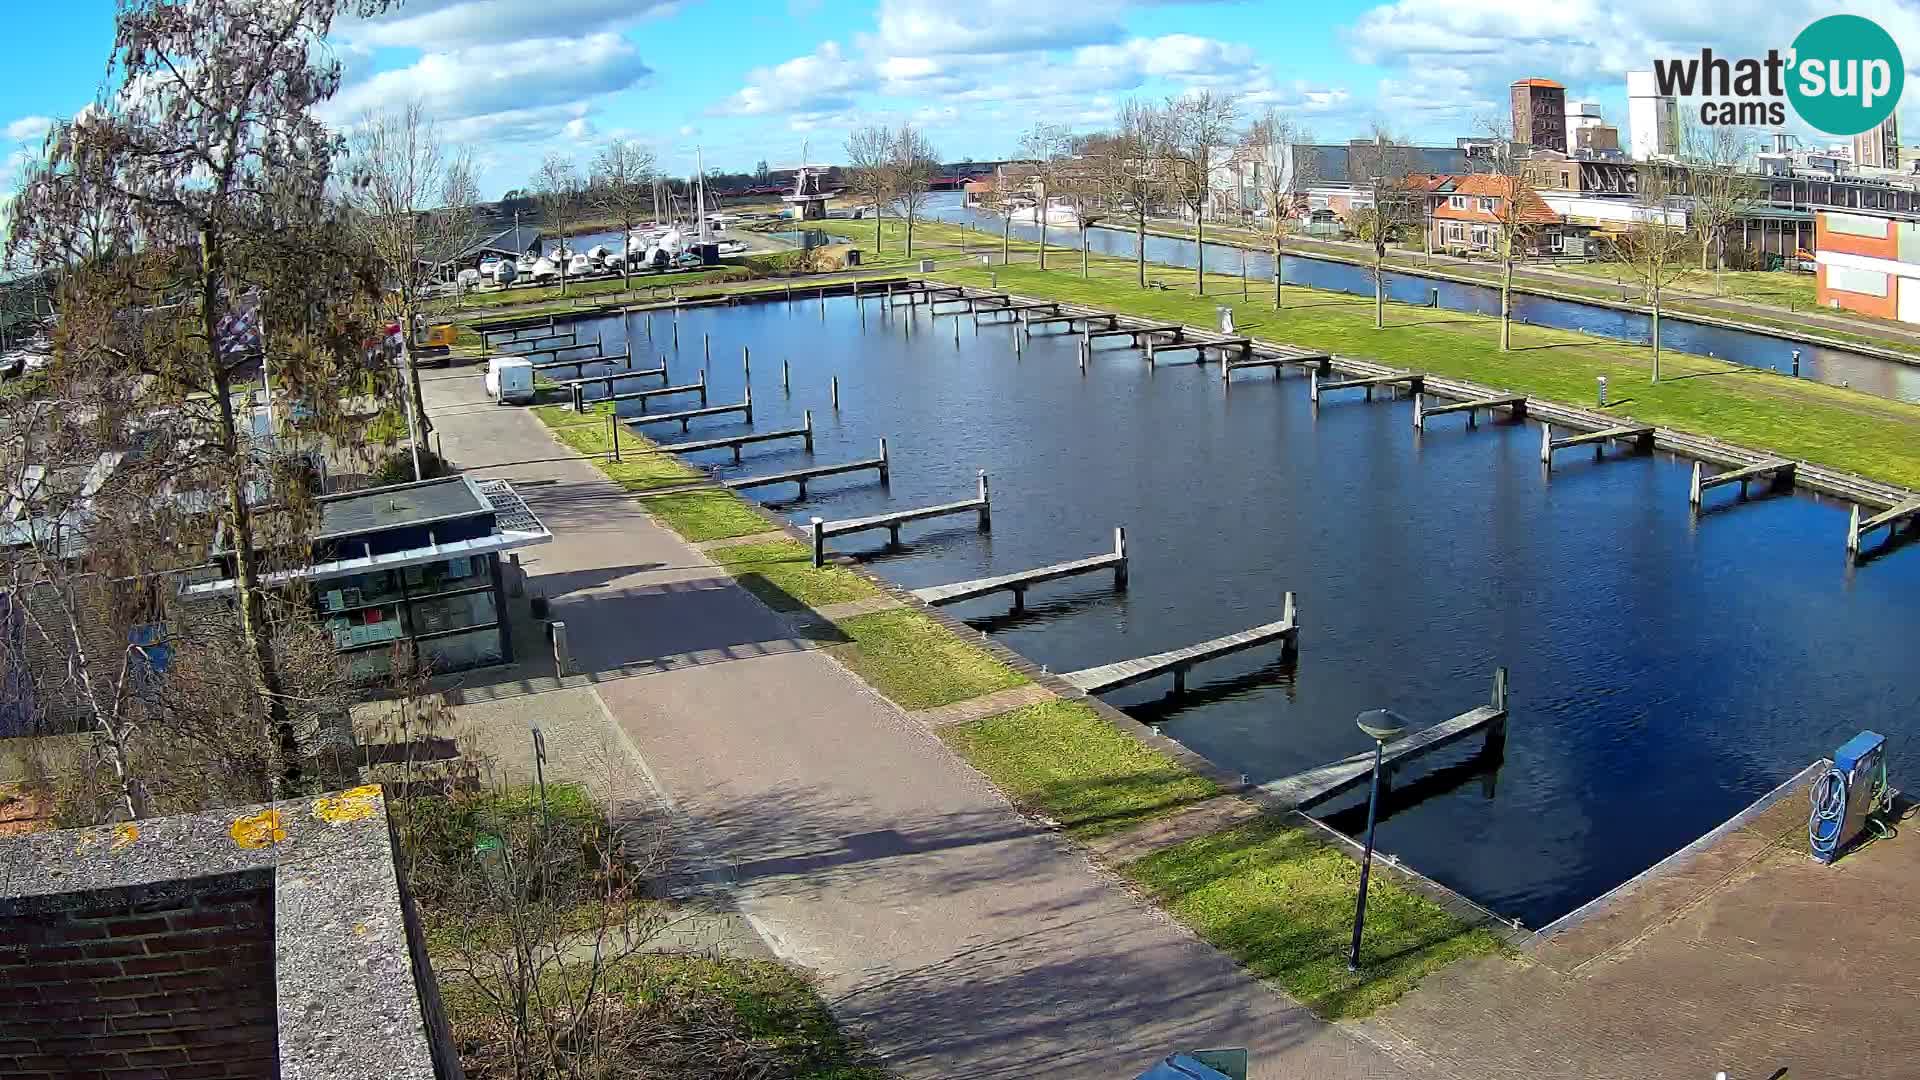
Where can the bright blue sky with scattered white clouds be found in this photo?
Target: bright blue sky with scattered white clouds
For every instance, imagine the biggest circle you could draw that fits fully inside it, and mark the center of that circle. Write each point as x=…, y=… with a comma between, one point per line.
x=754, y=82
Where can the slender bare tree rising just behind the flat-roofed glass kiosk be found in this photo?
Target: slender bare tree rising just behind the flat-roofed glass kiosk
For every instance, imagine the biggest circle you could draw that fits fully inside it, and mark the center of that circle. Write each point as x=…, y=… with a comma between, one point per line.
x=395, y=182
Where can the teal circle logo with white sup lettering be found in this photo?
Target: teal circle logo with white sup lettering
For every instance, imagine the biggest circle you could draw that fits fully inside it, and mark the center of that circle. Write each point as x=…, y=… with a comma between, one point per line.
x=1848, y=76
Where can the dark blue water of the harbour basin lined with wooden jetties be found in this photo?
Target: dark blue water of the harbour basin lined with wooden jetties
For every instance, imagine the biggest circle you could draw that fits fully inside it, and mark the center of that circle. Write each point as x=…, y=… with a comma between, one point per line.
x=1666, y=672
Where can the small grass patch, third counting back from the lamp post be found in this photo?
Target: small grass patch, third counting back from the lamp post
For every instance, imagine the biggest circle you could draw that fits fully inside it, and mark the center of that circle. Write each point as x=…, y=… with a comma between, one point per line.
x=917, y=662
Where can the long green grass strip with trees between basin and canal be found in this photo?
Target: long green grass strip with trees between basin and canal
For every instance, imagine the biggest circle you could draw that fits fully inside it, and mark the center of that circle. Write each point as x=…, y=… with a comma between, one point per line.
x=1794, y=418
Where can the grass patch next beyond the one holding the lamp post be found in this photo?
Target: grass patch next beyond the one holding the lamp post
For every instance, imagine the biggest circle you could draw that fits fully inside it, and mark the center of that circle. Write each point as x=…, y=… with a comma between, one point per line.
x=1065, y=762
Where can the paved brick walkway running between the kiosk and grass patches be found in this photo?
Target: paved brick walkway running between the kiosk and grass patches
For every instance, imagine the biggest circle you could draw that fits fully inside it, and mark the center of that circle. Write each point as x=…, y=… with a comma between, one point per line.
x=953, y=933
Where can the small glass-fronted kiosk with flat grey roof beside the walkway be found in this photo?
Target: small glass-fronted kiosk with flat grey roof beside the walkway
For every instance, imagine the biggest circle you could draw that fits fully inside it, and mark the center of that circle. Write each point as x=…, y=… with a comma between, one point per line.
x=414, y=564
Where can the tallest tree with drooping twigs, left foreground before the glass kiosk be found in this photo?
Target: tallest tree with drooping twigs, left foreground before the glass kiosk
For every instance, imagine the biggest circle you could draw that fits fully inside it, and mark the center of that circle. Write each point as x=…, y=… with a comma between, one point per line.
x=212, y=160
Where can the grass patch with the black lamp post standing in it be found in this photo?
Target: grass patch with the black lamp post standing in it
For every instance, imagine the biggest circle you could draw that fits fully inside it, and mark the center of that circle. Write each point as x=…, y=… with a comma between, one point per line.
x=1282, y=902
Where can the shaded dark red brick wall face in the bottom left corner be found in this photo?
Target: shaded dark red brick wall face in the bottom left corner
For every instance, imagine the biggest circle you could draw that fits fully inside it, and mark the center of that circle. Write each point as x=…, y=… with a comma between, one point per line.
x=170, y=991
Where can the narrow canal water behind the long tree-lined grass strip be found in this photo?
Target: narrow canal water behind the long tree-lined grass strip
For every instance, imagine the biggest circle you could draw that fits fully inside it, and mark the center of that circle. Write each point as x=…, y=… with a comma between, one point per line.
x=1873, y=376
